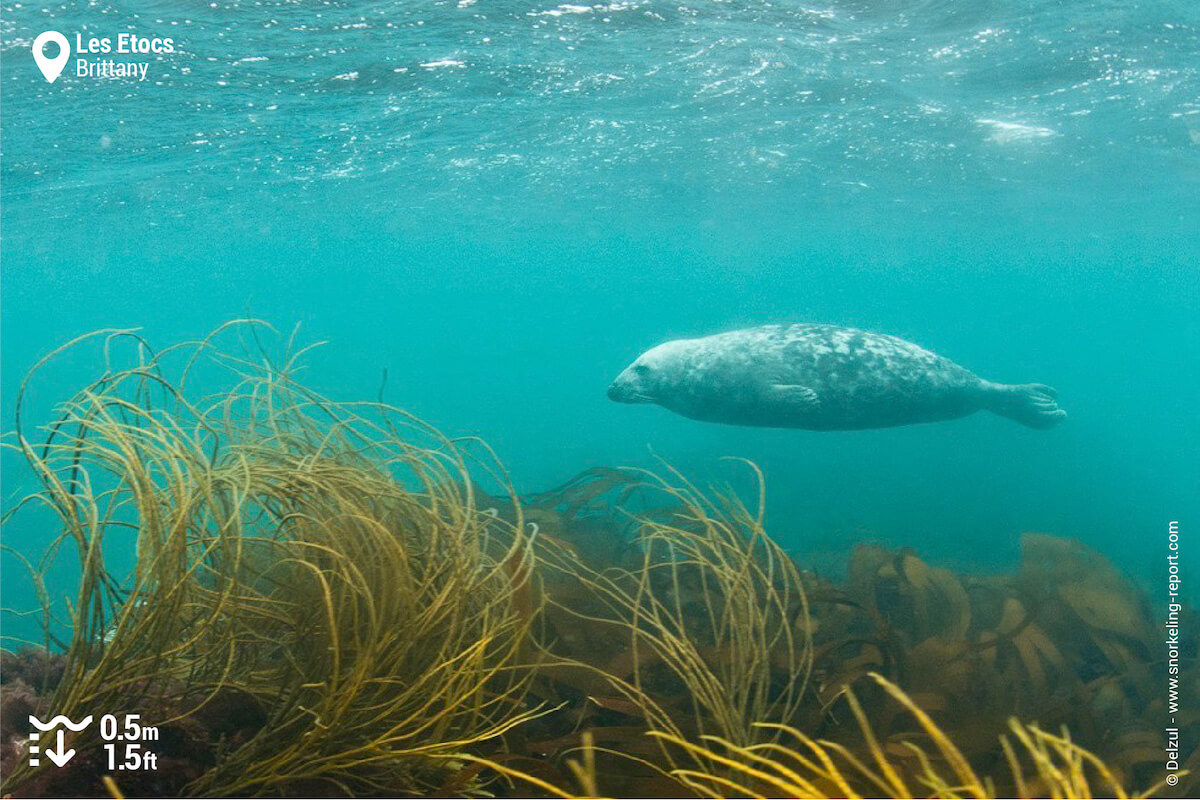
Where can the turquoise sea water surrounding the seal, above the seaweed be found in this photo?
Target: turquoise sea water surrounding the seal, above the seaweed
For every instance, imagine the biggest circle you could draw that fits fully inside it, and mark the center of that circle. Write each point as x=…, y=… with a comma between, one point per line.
x=503, y=203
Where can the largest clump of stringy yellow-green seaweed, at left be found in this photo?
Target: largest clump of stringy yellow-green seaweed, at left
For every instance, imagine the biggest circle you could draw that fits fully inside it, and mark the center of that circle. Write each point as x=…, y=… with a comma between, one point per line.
x=296, y=558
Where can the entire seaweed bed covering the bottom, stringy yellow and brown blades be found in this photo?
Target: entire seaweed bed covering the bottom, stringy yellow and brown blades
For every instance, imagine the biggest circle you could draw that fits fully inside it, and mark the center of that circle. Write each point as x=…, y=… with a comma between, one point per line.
x=323, y=600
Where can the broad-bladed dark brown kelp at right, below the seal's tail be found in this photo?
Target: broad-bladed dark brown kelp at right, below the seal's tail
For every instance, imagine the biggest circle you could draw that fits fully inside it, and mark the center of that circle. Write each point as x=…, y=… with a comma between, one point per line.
x=1066, y=641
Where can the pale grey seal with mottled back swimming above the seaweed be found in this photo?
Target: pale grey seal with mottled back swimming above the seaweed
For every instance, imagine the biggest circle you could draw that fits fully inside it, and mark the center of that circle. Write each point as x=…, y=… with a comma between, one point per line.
x=821, y=378
